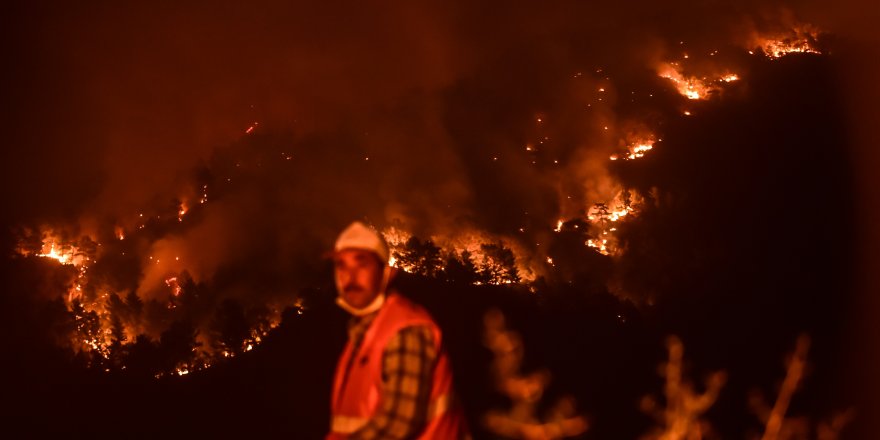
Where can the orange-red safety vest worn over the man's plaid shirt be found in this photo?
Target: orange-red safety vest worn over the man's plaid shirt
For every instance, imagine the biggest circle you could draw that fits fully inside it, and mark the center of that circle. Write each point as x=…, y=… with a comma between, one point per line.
x=358, y=396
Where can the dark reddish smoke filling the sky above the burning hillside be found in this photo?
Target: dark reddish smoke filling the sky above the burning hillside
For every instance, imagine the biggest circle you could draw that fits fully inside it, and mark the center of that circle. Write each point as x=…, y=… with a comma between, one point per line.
x=448, y=119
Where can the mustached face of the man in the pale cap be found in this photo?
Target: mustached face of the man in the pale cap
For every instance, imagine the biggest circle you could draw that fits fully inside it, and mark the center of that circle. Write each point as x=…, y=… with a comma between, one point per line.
x=358, y=276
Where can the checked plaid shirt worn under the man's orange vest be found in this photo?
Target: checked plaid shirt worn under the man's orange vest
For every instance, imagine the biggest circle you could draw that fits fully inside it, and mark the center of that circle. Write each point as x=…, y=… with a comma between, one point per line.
x=407, y=370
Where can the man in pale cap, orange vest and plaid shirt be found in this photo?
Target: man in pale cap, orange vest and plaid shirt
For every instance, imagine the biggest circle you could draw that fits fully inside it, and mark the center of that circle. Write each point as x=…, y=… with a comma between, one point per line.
x=393, y=380
